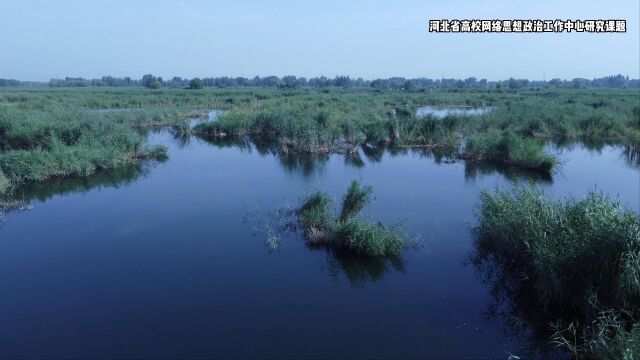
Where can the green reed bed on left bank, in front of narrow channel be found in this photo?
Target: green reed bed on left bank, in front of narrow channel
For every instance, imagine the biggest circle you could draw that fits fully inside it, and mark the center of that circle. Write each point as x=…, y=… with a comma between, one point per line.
x=41, y=144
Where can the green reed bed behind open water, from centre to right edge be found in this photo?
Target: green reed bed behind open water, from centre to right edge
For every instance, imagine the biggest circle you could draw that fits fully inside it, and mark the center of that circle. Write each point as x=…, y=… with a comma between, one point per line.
x=514, y=133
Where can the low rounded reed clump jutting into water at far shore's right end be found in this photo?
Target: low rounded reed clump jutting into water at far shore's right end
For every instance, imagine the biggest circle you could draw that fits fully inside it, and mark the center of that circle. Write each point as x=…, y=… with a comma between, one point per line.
x=509, y=149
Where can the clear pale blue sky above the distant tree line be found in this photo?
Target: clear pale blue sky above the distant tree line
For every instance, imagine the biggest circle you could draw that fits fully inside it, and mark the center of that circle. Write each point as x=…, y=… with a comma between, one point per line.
x=361, y=38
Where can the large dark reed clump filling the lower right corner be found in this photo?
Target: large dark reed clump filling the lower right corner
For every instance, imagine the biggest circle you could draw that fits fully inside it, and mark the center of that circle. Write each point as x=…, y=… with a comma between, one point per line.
x=574, y=264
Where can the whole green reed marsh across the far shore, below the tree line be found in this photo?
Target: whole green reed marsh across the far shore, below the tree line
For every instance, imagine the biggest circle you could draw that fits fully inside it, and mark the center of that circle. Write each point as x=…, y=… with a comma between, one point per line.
x=47, y=133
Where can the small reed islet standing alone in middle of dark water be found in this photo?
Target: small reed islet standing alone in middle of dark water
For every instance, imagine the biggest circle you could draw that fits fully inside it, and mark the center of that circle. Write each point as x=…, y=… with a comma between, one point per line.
x=321, y=227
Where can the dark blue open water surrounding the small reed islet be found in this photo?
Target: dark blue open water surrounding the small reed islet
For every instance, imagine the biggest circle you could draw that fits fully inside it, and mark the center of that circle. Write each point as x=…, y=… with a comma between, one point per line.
x=171, y=260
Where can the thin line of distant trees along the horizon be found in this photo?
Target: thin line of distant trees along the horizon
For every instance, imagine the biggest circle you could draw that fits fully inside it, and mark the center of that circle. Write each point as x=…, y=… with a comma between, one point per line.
x=291, y=82
